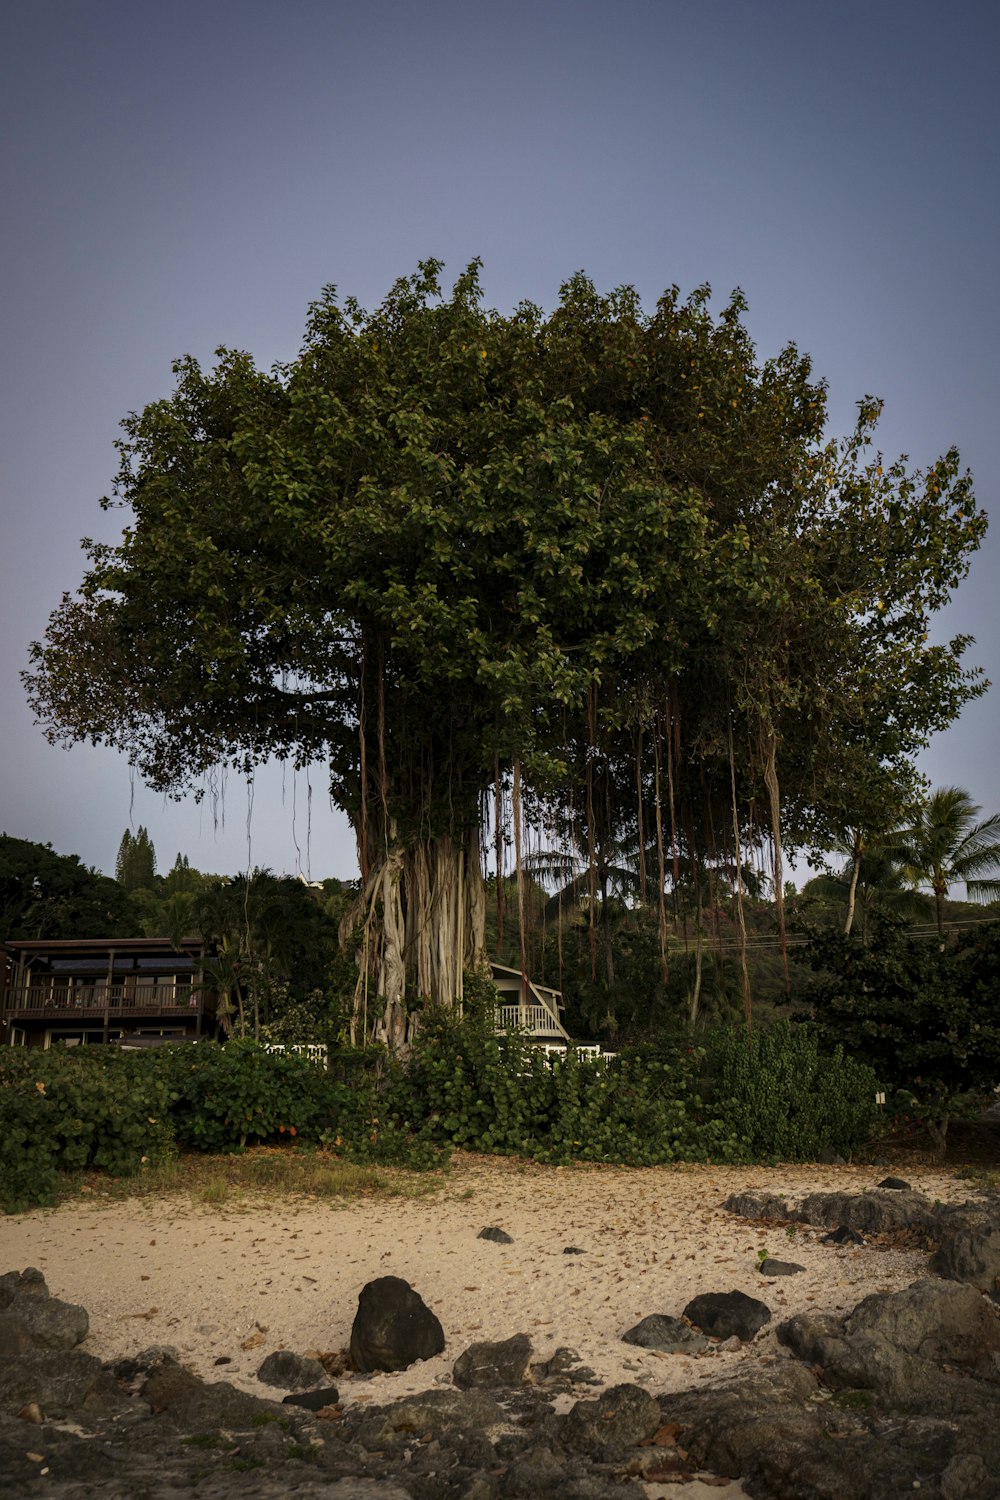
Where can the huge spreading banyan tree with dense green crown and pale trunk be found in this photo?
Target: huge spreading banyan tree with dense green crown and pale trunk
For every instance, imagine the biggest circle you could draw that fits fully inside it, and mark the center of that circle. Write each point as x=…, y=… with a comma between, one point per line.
x=602, y=569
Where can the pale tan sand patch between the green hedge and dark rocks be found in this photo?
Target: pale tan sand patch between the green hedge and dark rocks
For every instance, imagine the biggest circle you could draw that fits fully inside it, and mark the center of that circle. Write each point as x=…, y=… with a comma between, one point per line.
x=244, y=1282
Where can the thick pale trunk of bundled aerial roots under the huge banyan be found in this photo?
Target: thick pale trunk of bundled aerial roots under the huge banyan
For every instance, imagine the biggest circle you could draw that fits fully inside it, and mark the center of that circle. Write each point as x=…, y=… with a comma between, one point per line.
x=424, y=917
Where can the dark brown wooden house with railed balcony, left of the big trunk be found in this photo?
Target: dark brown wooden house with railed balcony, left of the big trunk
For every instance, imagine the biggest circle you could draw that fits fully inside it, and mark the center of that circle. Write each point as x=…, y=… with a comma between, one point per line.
x=104, y=991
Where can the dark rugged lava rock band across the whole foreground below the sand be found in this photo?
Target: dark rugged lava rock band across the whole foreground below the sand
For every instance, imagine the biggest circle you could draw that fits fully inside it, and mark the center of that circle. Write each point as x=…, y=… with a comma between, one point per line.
x=899, y=1396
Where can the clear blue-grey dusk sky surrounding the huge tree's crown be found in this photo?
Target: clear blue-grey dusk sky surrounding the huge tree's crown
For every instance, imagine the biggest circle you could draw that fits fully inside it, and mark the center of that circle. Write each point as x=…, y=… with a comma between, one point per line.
x=184, y=176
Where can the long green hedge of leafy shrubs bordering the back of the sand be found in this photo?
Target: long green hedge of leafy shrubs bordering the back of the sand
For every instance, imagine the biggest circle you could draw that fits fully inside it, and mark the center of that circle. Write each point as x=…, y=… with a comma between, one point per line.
x=774, y=1097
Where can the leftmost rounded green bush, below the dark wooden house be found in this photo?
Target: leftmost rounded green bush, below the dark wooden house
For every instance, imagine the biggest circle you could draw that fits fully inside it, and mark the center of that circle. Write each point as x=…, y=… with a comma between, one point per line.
x=65, y=1111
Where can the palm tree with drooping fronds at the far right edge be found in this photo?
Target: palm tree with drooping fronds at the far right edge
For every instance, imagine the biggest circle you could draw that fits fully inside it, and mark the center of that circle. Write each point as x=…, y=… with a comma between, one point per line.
x=947, y=847
